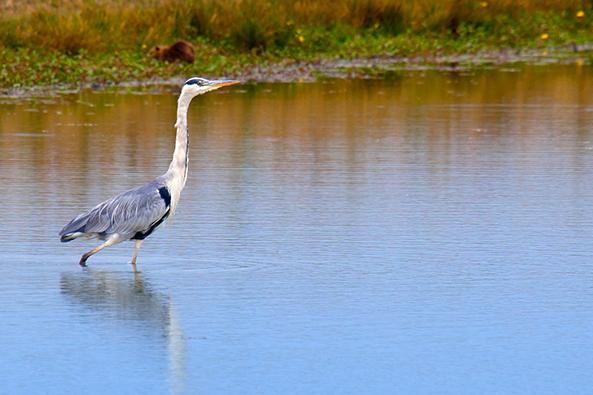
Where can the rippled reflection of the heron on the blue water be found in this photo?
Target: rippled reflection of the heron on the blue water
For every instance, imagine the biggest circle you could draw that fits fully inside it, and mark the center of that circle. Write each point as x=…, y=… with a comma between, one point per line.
x=132, y=299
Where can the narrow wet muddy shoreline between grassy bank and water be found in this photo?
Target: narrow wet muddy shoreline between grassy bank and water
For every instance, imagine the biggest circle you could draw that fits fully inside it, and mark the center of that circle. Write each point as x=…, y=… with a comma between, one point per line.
x=379, y=66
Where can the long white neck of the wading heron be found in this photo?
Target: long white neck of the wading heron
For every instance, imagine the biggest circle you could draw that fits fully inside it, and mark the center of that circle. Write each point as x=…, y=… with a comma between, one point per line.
x=177, y=173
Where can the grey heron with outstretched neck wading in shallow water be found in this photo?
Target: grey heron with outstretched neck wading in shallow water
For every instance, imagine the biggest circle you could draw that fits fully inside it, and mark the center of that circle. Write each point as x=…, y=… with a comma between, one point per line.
x=136, y=213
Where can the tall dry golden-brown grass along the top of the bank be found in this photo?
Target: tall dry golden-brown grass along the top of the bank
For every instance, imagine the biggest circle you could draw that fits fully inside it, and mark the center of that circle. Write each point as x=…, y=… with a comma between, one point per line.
x=73, y=25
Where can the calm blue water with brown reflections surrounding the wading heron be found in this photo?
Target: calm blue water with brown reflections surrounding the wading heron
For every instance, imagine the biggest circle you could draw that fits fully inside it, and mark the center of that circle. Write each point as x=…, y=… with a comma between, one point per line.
x=429, y=233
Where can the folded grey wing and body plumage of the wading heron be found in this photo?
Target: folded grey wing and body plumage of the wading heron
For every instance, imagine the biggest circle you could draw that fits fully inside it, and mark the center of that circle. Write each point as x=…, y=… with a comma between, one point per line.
x=134, y=211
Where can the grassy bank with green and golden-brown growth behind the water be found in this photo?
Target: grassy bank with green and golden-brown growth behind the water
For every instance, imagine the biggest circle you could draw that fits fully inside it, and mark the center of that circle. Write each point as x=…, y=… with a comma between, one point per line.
x=75, y=41
